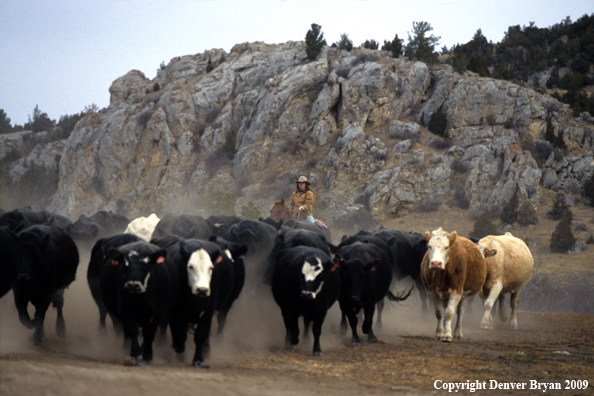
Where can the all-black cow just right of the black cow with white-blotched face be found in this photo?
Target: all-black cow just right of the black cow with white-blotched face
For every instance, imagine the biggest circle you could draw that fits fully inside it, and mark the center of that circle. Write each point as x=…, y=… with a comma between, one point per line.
x=366, y=275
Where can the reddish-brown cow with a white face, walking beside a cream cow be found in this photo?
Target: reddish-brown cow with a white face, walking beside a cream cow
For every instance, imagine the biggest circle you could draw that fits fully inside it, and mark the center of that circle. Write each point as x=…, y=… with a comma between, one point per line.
x=452, y=270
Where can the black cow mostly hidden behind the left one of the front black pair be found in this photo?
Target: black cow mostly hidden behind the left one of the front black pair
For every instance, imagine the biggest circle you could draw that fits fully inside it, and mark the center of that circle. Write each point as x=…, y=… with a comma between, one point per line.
x=97, y=262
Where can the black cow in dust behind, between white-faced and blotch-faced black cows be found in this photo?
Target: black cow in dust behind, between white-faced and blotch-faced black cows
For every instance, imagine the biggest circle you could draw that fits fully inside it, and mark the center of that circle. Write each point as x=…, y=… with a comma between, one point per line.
x=259, y=239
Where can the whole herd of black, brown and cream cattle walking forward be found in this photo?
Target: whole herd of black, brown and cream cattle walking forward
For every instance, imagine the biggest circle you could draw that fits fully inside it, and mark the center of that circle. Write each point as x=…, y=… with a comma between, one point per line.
x=179, y=271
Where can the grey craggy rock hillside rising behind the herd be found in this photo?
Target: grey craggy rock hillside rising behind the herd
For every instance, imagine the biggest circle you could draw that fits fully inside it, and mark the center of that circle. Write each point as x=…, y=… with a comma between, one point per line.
x=248, y=122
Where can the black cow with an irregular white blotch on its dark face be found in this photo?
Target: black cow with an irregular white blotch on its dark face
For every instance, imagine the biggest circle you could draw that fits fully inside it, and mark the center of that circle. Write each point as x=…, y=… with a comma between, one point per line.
x=305, y=283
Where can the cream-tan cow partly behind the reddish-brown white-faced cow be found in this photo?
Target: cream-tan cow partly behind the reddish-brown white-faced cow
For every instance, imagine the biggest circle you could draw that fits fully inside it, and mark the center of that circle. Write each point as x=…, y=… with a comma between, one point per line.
x=509, y=266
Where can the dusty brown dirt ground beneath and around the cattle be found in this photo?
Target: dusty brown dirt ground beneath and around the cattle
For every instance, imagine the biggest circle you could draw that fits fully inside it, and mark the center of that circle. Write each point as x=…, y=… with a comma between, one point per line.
x=251, y=359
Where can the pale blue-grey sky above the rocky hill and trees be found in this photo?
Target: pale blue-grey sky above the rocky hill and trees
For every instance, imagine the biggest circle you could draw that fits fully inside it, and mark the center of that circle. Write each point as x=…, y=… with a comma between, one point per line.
x=63, y=55
